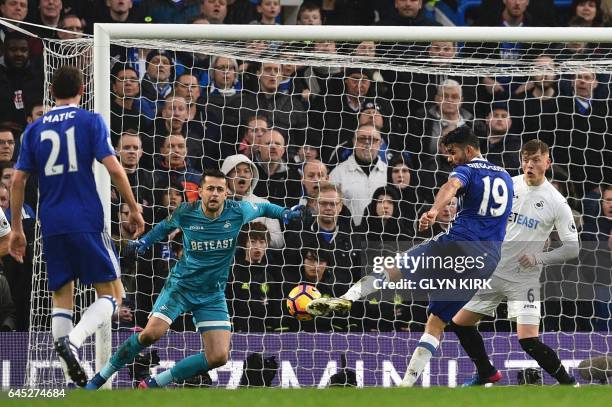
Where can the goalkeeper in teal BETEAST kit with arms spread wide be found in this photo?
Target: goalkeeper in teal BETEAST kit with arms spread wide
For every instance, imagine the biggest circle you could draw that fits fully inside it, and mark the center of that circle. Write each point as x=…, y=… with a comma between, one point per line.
x=210, y=228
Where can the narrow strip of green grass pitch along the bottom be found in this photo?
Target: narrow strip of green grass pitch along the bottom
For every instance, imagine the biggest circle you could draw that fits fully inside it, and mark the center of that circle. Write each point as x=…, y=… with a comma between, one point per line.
x=522, y=396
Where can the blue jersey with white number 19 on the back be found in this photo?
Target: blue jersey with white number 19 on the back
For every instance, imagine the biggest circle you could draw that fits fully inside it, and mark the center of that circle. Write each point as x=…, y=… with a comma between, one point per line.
x=485, y=202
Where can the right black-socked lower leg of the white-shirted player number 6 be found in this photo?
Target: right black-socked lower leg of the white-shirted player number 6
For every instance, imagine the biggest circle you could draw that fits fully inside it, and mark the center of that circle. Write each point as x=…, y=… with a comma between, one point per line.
x=528, y=335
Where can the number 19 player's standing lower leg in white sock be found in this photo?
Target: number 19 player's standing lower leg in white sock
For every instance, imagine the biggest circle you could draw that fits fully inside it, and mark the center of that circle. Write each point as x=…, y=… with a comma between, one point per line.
x=425, y=349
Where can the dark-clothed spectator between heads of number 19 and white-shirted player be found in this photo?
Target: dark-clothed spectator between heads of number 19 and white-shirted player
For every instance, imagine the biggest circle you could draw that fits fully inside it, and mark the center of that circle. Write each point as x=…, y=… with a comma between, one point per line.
x=502, y=147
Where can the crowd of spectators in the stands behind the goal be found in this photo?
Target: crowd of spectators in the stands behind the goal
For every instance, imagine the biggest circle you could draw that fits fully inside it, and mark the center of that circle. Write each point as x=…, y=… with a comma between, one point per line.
x=359, y=148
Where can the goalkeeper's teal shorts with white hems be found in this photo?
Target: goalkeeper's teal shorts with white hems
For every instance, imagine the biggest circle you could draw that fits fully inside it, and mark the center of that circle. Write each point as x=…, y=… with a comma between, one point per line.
x=209, y=311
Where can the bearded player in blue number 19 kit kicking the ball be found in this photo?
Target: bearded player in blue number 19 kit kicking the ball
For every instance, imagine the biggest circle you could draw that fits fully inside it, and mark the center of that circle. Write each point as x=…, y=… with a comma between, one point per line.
x=486, y=192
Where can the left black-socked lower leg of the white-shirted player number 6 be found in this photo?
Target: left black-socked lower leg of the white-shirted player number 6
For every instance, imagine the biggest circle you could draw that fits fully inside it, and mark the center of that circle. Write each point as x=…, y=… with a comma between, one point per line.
x=464, y=325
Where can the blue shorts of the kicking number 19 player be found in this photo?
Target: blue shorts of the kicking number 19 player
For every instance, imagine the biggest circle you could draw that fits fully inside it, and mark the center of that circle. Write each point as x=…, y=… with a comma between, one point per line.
x=446, y=302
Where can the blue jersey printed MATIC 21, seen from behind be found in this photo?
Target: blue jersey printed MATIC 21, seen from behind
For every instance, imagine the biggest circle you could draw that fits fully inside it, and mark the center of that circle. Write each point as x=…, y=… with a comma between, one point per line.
x=60, y=148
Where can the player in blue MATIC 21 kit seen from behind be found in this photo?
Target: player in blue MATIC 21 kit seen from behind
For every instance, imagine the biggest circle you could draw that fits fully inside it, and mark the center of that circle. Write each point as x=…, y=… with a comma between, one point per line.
x=59, y=148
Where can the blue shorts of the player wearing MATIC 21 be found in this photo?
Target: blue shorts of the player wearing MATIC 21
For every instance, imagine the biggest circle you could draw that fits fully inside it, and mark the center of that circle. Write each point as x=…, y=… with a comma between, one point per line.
x=88, y=257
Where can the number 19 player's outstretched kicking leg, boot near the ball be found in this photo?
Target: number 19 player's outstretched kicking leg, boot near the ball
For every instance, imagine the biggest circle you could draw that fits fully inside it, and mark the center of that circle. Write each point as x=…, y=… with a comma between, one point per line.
x=361, y=289
